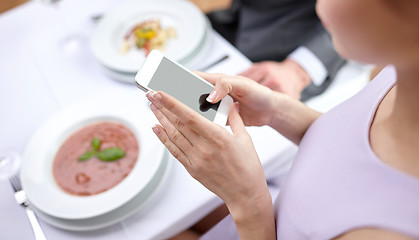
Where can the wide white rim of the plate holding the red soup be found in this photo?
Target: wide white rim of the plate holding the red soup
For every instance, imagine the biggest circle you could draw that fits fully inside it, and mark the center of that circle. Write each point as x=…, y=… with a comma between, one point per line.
x=36, y=172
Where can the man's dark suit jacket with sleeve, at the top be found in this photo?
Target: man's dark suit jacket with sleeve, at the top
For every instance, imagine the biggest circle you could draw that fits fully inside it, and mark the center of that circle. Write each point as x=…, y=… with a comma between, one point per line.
x=272, y=29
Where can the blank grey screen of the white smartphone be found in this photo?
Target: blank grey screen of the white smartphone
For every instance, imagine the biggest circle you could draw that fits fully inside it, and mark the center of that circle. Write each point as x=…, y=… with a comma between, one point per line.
x=183, y=86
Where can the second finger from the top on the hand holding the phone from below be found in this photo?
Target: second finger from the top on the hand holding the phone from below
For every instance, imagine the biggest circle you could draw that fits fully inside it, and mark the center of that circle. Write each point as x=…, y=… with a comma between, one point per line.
x=174, y=135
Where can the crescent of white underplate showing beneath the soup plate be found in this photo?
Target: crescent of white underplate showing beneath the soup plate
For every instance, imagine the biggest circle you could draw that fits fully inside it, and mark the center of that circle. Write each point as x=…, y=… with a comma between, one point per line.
x=141, y=201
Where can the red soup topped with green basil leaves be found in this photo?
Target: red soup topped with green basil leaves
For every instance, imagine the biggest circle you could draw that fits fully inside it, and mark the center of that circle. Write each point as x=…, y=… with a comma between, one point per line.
x=95, y=158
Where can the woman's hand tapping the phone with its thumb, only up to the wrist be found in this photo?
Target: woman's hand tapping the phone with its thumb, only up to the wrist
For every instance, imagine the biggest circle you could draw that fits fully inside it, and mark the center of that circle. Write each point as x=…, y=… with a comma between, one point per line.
x=256, y=101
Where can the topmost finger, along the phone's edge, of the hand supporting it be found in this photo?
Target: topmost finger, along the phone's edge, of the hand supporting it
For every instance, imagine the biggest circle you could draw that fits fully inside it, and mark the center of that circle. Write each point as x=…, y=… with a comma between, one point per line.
x=189, y=117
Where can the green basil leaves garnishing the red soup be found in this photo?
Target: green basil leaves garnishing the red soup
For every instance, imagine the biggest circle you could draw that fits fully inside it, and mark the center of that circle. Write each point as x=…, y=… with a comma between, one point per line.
x=107, y=155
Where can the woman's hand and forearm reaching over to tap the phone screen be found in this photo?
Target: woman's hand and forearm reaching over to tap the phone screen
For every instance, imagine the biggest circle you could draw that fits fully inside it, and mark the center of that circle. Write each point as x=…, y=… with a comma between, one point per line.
x=260, y=105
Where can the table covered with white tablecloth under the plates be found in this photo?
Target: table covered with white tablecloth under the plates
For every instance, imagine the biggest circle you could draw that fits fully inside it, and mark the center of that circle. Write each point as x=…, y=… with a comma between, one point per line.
x=38, y=78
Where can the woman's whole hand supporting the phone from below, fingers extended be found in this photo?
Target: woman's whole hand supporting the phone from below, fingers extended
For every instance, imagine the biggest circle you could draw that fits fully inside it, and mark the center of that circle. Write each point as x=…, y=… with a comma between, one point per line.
x=227, y=164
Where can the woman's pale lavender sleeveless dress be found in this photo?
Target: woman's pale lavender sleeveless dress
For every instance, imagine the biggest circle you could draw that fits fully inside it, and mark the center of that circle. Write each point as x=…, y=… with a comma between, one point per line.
x=337, y=183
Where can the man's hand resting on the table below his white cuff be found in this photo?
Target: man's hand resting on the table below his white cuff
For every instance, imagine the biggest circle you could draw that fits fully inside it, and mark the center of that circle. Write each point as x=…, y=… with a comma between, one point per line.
x=286, y=76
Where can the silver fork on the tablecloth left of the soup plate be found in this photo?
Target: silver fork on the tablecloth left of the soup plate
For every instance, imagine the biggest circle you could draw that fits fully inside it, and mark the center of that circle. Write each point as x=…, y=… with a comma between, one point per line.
x=21, y=199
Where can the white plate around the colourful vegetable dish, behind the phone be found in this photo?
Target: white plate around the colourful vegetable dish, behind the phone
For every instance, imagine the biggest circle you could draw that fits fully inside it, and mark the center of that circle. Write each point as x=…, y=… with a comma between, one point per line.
x=108, y=37
